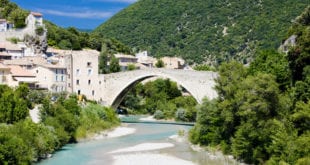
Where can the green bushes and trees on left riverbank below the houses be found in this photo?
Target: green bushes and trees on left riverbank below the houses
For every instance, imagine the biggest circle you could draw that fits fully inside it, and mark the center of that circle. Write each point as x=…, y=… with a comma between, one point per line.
x=63, y=121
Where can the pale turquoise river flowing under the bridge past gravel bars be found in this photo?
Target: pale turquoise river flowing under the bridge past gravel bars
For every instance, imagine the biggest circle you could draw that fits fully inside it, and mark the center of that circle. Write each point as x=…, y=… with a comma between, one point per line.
x=97, y=152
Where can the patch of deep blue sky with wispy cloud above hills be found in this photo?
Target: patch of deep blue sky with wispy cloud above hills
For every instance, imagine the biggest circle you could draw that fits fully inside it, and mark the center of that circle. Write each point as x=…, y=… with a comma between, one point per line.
x=83, y=14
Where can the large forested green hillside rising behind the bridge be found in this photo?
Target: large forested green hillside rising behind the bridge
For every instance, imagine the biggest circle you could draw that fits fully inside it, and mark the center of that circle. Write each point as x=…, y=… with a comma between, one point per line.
x=203, y=30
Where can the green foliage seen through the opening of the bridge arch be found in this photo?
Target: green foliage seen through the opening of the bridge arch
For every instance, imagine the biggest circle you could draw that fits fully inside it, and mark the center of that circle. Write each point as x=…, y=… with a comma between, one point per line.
x=161, y=98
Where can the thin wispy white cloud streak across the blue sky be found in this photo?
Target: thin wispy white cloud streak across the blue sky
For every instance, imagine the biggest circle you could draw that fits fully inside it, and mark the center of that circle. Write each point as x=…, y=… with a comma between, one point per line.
x=81, y=14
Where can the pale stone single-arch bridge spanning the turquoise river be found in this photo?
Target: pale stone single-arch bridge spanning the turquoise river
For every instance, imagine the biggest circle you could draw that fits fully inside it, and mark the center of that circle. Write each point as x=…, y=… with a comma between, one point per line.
x=198, y=83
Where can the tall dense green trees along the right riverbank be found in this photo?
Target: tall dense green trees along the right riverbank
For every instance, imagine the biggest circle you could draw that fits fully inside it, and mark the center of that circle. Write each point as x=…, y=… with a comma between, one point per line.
x=262, y=114
